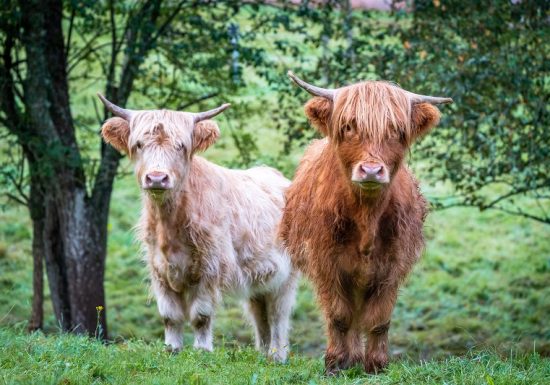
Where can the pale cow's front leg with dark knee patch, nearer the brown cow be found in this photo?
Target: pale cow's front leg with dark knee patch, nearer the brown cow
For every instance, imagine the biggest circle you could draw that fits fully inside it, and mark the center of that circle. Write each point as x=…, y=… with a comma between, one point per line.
x=201, y=315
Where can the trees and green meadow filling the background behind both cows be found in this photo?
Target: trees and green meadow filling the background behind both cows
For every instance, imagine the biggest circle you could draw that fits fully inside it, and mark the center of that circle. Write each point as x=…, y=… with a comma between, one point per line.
x=68, y=201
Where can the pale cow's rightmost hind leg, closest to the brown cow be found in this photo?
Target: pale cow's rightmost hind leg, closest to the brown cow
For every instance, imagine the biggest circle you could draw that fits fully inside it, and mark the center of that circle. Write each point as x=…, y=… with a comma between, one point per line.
x=279, y=307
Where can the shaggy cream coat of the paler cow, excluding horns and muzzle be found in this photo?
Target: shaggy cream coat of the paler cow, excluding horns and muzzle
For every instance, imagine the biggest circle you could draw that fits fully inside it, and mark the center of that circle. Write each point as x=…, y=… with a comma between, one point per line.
x=212, y=232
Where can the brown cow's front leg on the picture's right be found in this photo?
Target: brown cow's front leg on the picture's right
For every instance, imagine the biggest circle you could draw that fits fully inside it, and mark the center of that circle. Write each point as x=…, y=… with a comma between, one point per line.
x=377, y=315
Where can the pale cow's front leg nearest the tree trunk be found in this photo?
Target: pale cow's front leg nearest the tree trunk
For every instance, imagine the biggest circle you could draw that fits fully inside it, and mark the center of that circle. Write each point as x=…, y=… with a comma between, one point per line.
x=171, y=310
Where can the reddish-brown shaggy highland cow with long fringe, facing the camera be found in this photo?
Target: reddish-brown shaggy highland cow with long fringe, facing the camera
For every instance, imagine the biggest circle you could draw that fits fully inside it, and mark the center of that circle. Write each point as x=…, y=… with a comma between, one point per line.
x=354, y=213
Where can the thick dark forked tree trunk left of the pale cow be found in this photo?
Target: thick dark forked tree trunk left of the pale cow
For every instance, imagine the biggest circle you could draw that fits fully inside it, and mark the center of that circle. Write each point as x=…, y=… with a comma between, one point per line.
x=69, y=228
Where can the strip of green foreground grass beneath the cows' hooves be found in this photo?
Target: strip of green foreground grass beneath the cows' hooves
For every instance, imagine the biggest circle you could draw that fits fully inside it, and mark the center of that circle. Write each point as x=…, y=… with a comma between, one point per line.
x=68, y=359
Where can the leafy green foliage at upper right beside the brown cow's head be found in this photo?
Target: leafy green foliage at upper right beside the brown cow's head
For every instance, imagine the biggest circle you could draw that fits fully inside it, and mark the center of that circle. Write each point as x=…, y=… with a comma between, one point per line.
x=492, y=58
